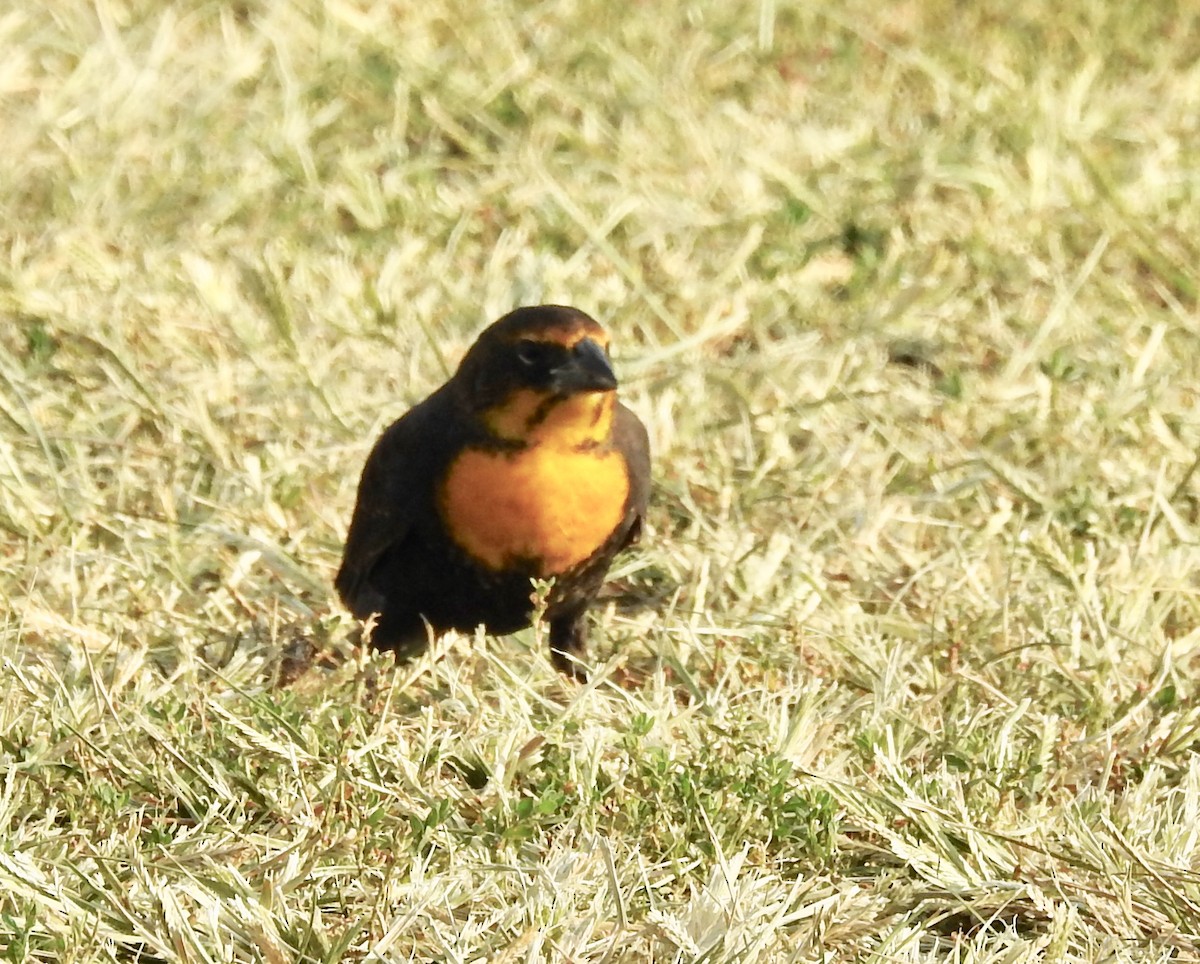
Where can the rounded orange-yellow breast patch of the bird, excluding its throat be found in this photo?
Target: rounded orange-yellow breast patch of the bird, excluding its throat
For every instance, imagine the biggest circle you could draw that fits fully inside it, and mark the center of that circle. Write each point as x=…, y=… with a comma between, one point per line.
x=545, y=505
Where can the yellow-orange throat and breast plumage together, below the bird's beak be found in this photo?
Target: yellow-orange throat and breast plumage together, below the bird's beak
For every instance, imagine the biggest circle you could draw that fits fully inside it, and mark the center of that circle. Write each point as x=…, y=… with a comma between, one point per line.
x=553, y=502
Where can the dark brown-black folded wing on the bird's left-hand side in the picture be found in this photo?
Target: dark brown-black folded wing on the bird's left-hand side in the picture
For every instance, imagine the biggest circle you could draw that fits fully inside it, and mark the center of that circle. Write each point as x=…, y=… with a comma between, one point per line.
x=397, y=490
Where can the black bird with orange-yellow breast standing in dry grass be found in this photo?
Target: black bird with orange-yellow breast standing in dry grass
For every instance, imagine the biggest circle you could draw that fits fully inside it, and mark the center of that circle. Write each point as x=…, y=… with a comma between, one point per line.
x=523, y=466
